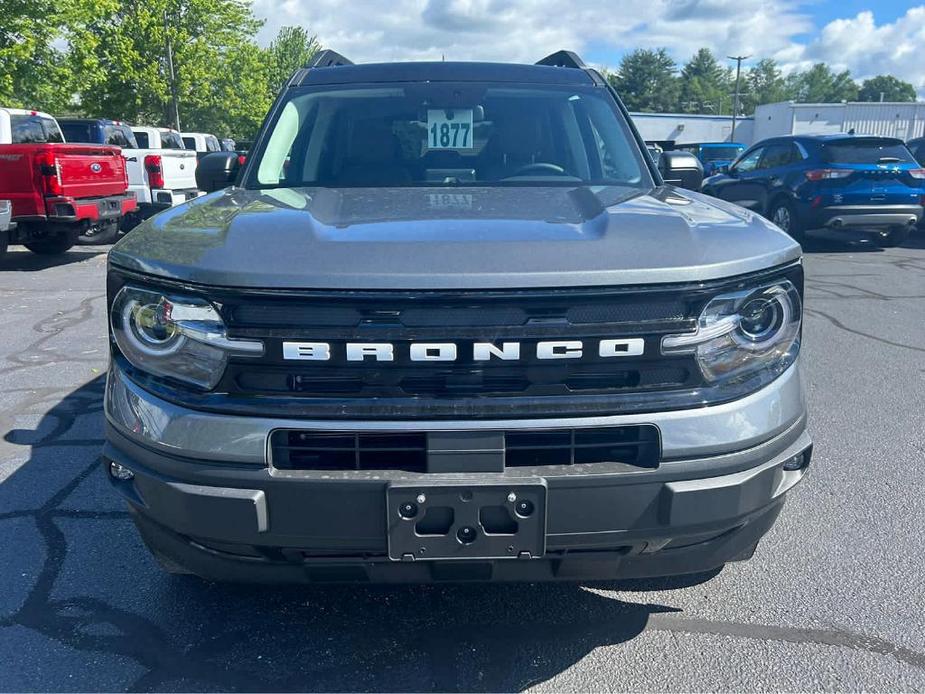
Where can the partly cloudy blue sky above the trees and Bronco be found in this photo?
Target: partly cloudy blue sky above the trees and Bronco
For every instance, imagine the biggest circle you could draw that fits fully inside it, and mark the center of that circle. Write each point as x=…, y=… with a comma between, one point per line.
x=868, y=37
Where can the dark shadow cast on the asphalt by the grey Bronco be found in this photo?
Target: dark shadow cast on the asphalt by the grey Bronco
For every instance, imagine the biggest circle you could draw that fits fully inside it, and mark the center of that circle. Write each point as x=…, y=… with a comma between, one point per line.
x=78, y=579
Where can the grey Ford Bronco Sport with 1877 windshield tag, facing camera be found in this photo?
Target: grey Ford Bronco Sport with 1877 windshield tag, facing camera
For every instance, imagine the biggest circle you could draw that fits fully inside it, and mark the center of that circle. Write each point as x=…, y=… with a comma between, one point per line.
x=450, y=323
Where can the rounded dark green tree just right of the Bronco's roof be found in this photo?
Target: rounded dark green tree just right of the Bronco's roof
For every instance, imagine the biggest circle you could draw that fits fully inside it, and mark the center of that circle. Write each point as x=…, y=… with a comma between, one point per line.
x=646, y=81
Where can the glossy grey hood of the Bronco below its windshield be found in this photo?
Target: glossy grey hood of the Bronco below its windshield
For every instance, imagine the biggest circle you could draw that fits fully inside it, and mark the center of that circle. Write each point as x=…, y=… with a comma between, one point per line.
x=460, y=238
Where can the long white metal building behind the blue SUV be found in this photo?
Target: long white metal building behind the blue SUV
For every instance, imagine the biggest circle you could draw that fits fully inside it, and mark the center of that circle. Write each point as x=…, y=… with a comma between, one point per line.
x=902, y=120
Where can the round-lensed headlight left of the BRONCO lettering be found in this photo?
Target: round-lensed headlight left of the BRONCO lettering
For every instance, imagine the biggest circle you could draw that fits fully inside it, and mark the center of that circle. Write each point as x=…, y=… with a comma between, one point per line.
x=174, y=337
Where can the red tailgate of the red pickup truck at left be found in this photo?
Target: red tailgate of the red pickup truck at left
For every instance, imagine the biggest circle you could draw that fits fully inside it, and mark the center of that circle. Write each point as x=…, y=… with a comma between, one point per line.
x=90, y=171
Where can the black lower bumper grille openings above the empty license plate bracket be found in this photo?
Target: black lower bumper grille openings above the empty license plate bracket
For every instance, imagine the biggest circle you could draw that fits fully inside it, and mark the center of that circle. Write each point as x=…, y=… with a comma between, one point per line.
x=635, y=445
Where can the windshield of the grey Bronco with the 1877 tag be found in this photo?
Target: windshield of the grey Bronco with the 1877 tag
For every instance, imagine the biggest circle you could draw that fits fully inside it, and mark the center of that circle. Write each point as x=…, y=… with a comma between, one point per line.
x=451, y=134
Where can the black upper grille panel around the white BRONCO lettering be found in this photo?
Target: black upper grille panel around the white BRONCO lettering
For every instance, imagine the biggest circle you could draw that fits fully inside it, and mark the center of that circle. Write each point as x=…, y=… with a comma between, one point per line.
x=465, y=388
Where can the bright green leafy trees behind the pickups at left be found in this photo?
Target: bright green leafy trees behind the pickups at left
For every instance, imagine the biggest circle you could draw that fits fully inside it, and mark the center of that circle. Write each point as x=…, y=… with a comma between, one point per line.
x=114, y=63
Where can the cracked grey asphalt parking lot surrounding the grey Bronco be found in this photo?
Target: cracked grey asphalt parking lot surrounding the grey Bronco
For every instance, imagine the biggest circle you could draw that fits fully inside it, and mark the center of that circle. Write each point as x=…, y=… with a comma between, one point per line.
x=834, y=598
